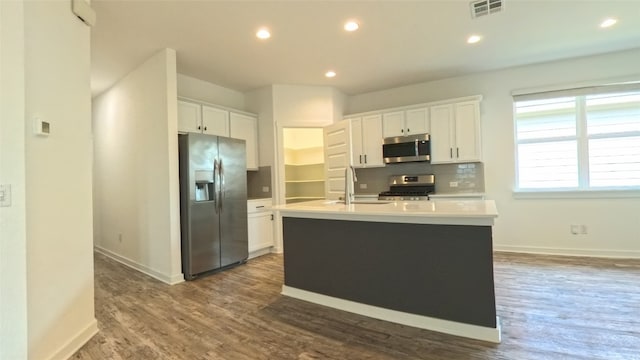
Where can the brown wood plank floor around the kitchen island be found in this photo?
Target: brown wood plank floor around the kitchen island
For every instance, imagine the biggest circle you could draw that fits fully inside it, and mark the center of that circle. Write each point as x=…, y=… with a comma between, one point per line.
x=550, y=308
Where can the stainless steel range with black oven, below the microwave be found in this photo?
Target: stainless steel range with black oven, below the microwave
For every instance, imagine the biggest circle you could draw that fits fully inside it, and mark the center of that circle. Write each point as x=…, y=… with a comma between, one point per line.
x=409, y=187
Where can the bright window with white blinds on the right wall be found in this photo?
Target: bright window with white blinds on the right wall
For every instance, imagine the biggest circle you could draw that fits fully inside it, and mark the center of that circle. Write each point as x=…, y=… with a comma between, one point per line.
x=581, y=139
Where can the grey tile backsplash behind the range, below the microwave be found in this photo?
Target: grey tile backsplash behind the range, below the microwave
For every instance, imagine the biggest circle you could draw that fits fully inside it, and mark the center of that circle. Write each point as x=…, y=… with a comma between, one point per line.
x=468, y=177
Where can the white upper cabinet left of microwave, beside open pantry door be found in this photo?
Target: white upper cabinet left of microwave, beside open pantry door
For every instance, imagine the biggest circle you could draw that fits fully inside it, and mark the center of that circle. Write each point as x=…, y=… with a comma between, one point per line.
x=366, y=141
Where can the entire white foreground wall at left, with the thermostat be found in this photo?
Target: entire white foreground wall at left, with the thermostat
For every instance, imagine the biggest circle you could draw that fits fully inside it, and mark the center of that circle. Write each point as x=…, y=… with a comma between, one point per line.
x=46, y=306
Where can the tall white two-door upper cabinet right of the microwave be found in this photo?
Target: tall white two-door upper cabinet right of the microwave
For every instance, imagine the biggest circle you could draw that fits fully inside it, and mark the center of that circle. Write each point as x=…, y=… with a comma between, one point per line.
x=455, y=132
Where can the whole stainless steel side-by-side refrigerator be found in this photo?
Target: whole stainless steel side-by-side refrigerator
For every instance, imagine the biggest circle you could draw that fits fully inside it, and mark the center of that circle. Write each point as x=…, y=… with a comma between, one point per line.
x=213, y=203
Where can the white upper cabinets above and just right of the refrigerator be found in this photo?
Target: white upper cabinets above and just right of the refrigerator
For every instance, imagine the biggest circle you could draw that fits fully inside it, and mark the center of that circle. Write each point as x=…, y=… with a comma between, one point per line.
x=205, y=119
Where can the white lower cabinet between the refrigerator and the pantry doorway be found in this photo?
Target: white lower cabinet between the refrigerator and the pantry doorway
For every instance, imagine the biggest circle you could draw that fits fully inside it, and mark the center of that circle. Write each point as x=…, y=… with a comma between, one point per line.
x=260, y=223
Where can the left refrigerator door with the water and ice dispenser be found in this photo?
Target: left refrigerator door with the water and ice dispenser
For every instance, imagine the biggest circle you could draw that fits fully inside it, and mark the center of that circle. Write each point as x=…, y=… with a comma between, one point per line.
x=200, y=223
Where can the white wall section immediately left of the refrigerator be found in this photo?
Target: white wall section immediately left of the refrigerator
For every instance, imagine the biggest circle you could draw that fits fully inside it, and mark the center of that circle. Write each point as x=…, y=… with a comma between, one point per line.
x=136, y=169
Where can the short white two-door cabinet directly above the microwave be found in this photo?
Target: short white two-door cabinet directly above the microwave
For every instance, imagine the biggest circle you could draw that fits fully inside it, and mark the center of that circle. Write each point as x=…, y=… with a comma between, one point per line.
x=405, y=122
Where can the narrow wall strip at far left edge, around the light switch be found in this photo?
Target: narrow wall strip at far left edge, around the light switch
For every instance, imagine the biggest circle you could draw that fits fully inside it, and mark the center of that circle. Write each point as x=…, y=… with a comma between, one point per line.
x=13, y=238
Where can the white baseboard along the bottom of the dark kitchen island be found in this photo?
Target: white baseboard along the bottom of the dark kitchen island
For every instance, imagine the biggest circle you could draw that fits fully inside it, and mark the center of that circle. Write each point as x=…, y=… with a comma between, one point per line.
x=399, y=317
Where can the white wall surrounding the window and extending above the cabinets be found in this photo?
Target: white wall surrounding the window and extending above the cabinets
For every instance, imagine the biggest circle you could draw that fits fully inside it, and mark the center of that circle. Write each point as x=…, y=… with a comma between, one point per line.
x=540, y=225
